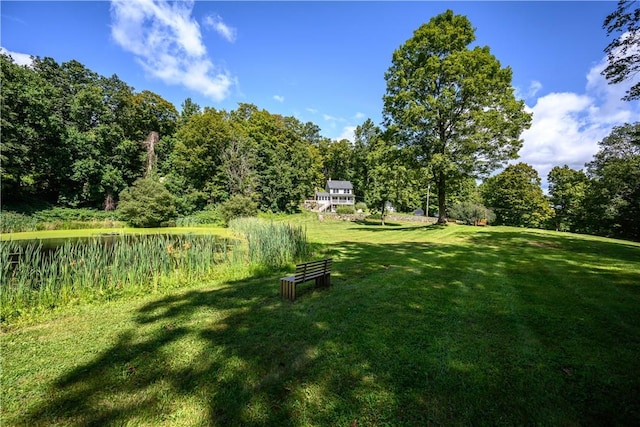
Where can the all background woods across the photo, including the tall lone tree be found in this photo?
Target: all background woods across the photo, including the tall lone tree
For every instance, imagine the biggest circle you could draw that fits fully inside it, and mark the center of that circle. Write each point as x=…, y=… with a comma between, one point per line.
x=75, y=139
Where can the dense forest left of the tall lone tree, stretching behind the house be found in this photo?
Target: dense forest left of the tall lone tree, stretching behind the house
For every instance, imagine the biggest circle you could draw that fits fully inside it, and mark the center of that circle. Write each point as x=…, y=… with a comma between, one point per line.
x=73, y=138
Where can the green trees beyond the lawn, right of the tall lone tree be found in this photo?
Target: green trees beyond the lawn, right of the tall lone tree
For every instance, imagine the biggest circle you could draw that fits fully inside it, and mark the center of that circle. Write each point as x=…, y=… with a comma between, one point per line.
x=602, y=199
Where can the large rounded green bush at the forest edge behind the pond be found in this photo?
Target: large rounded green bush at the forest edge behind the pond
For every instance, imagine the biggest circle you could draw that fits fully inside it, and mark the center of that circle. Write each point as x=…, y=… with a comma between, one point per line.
x=147, y=203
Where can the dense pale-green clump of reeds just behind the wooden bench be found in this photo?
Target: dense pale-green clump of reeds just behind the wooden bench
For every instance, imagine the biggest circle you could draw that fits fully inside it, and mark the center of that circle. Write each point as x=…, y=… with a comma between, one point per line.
x=272, y=244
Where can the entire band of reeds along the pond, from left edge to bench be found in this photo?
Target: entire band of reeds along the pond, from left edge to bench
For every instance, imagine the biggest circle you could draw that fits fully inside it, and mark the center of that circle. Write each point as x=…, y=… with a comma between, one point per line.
x=47, y=273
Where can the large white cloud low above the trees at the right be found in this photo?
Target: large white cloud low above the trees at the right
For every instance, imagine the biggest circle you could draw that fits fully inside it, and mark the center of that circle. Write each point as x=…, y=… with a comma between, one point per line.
x=567, y=127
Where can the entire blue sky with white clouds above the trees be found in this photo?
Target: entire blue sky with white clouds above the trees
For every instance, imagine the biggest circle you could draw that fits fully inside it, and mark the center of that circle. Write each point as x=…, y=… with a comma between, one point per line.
x=325, y=61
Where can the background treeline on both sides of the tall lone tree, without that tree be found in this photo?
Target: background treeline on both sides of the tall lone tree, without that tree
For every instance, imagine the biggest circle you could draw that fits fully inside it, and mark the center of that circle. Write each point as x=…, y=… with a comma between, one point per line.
x=73, y=138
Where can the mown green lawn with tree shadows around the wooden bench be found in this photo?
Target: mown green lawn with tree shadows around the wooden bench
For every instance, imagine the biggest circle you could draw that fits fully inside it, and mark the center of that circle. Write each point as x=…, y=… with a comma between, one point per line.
x=422, y=325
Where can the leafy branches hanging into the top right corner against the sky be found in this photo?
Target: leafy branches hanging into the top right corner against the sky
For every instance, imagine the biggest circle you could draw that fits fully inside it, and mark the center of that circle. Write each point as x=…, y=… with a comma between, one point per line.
x=623, y=52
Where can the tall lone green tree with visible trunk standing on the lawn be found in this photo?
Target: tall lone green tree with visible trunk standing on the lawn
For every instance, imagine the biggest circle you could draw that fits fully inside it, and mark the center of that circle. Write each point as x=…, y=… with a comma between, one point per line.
x=451, y=105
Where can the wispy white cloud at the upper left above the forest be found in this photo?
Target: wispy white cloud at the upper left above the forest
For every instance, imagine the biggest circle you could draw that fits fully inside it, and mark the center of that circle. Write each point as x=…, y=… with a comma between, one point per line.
x=167, y=42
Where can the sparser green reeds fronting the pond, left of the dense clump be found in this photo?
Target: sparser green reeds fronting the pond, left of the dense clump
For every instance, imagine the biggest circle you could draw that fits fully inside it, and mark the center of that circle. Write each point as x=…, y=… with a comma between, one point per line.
x=34, y=278
